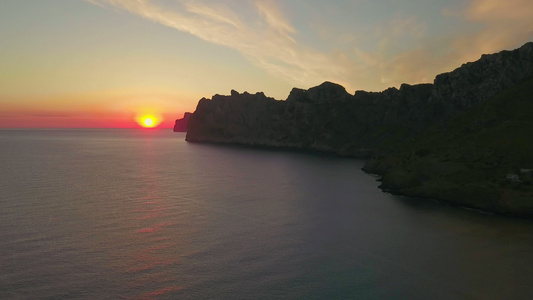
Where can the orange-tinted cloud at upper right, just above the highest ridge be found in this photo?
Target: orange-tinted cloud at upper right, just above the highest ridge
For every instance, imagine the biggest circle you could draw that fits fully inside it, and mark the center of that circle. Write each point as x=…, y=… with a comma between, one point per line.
x=406, y=53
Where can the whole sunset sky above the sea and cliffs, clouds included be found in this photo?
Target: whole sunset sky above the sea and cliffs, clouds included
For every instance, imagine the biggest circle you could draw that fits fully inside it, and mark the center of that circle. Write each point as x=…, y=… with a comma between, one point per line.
x=105, y=63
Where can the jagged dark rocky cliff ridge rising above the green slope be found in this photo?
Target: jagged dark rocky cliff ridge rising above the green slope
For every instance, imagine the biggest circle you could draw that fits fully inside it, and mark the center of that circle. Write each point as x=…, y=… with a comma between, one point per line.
x=327, y=118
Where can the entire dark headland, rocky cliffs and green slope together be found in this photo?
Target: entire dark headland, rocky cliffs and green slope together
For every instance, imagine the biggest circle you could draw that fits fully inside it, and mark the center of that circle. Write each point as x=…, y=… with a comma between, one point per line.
x=455, y=140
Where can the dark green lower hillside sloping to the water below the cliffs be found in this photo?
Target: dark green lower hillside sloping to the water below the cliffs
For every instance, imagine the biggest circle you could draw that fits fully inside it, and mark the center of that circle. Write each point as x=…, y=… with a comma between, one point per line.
x=467, y=161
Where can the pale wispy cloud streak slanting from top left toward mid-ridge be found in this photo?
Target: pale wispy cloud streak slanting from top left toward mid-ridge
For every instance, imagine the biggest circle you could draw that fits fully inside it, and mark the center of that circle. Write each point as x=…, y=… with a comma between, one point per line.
x=266, y=38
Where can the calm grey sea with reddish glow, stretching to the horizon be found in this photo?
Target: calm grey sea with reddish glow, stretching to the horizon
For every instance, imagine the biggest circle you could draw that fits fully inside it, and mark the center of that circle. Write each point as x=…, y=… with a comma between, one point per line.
x=142, y=214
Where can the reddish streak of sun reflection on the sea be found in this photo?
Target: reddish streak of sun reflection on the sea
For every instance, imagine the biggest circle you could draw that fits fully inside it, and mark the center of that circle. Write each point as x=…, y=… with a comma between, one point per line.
x=156, y=257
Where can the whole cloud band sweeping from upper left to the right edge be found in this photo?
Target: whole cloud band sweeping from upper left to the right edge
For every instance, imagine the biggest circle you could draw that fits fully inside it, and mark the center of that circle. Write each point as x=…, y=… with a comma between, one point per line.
x=405, y=49
